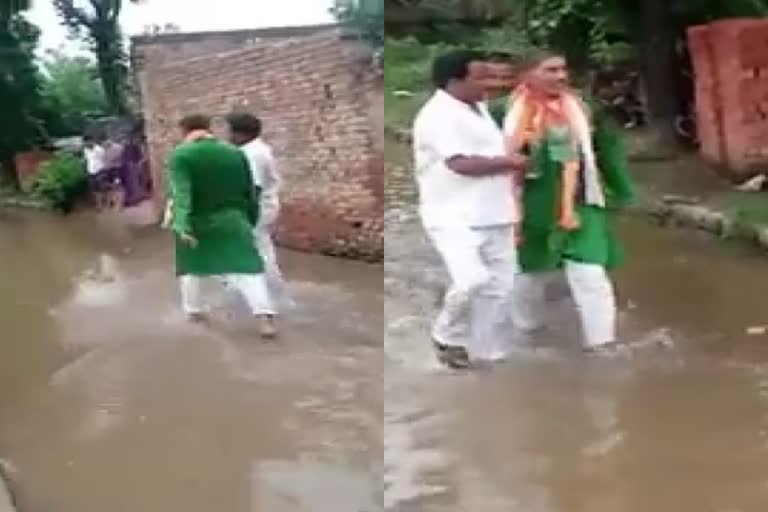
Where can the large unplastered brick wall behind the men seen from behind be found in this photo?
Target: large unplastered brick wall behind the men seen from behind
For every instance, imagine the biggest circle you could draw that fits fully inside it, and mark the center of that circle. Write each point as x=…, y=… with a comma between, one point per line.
x=322, y=108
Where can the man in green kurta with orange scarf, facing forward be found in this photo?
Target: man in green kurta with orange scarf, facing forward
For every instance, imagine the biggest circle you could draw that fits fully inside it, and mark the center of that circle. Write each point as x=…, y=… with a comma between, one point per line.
x=577, y=178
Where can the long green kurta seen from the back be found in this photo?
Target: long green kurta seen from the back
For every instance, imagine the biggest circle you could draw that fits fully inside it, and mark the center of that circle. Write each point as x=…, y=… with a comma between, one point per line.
x=215, y=201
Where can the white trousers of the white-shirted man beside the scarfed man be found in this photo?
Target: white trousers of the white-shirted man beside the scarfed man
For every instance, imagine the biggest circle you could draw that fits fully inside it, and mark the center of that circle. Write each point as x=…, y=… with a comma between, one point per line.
x=482, y=263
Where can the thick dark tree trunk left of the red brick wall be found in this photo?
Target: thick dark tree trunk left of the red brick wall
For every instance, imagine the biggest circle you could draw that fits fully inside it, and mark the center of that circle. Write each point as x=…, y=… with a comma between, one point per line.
x=659, y=65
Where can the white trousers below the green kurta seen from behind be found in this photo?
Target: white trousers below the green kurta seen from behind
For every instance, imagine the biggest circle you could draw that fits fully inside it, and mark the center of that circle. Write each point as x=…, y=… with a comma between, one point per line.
x=252, y=287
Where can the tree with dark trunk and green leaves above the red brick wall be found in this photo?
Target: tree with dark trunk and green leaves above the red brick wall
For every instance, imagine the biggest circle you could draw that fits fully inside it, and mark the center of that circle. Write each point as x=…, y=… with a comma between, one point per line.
x=649, y=31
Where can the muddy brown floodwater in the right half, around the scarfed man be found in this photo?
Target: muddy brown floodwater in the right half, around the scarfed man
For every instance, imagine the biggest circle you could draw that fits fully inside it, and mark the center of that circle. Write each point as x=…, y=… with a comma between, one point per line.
x=676, y=429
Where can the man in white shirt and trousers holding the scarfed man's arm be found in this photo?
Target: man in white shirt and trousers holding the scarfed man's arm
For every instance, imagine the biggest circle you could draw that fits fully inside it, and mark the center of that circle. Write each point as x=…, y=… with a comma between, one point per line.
x=465, y=181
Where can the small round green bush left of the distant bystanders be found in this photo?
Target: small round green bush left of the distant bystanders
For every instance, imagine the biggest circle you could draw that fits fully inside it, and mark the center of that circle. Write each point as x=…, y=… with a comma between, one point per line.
x=62, y=181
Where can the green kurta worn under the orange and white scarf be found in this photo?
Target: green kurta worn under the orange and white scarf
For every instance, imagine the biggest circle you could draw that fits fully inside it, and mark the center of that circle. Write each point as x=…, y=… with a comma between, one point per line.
x=545, y=245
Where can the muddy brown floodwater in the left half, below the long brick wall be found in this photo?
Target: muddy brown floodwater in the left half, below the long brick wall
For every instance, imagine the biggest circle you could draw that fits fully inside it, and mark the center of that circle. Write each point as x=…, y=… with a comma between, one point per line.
x=109, y=401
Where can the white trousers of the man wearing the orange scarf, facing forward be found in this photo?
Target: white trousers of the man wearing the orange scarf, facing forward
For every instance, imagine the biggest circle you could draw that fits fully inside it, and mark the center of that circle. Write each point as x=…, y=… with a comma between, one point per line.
x=592, y=292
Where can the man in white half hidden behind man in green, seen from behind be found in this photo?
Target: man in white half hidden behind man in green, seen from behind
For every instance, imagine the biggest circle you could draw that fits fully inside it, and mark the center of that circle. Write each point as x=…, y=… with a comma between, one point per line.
x=245, y=131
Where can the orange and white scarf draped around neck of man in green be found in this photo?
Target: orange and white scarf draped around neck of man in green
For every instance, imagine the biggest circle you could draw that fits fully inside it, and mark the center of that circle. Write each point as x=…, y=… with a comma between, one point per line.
x=530, y=115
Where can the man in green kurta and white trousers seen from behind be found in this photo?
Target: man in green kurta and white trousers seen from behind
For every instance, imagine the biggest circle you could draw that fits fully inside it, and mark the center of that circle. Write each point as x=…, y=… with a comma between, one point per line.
x=214, y=207
